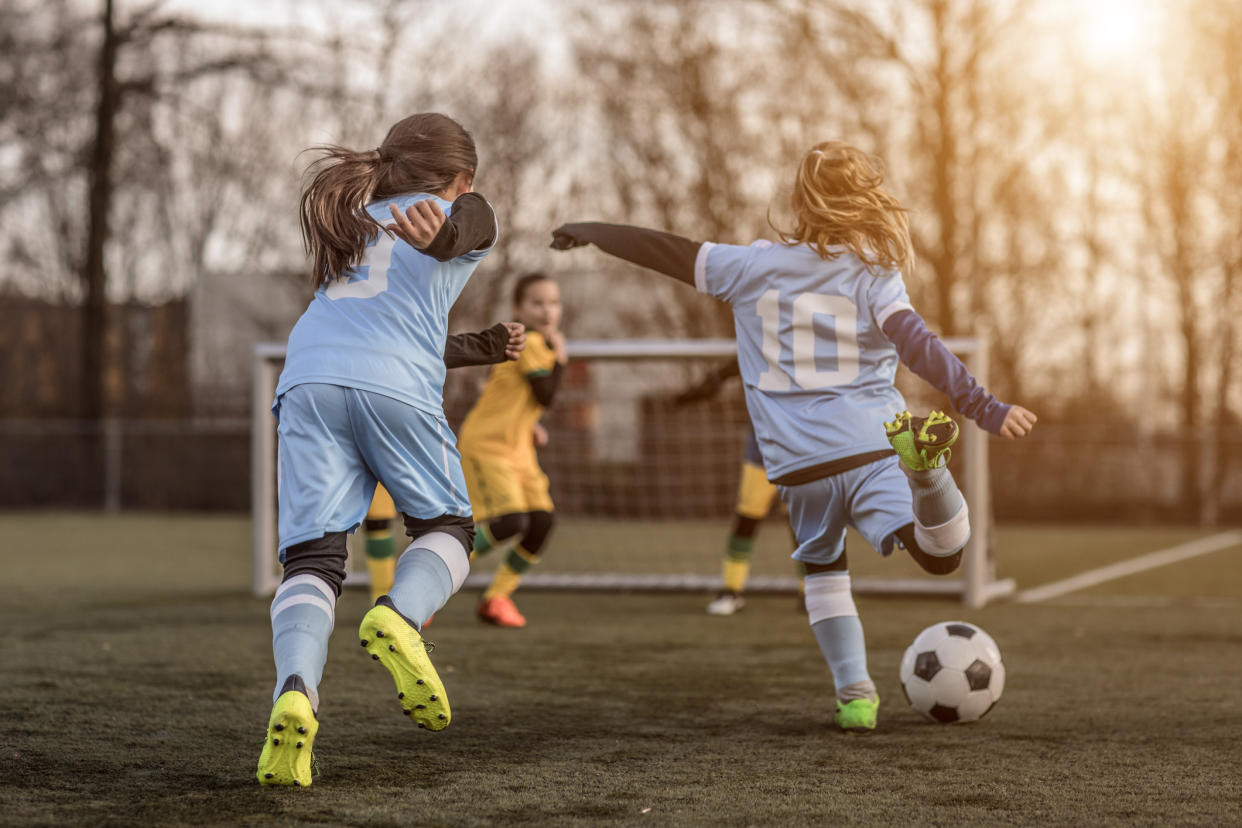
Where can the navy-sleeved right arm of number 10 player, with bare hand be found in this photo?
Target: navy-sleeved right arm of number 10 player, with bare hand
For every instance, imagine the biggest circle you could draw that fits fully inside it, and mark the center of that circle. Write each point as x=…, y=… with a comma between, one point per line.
x=923, y=353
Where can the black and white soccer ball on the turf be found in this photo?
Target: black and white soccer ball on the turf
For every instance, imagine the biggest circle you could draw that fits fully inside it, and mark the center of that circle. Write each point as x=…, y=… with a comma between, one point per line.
x=953, y=672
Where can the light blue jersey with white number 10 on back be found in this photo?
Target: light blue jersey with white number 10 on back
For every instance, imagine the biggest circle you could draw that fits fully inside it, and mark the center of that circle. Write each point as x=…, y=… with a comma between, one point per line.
x=817, y=366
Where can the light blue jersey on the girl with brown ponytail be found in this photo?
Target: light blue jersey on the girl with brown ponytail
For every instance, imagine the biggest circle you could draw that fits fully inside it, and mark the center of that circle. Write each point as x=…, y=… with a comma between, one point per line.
x=382, y=328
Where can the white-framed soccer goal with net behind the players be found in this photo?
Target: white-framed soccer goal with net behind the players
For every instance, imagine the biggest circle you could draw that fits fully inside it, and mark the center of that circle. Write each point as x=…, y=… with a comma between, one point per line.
x=646, y=488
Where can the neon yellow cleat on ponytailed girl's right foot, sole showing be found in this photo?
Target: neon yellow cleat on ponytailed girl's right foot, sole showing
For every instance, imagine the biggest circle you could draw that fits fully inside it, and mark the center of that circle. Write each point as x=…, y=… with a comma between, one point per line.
x=393, y=641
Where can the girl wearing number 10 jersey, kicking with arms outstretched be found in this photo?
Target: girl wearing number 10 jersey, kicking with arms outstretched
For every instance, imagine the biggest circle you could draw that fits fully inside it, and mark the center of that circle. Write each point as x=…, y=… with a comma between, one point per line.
x=822, y=321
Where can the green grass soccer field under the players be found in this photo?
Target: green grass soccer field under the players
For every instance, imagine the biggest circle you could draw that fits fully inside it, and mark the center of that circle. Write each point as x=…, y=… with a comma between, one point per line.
x=137, y=682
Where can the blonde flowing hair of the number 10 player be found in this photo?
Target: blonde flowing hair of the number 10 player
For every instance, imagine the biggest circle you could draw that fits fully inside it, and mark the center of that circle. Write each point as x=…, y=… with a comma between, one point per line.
x=839, y=203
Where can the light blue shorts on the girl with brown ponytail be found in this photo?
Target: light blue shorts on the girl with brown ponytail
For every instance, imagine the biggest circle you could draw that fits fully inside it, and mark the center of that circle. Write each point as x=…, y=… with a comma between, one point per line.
x=336, y=443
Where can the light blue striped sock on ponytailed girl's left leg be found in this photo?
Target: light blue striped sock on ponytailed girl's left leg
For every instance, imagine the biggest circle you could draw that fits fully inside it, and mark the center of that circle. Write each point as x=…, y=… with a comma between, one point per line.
x=304, y=614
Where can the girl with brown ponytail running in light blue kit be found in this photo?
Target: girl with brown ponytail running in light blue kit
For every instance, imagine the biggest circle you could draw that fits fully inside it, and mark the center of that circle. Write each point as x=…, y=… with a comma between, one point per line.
x=360, y=402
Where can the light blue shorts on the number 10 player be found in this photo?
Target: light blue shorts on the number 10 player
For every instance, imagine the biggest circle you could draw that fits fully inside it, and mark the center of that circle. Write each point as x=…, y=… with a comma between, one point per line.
x=874, y=498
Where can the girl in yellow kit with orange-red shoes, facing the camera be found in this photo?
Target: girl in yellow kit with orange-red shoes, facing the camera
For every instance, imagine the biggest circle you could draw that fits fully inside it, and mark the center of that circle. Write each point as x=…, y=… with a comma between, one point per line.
x=509, y=491
